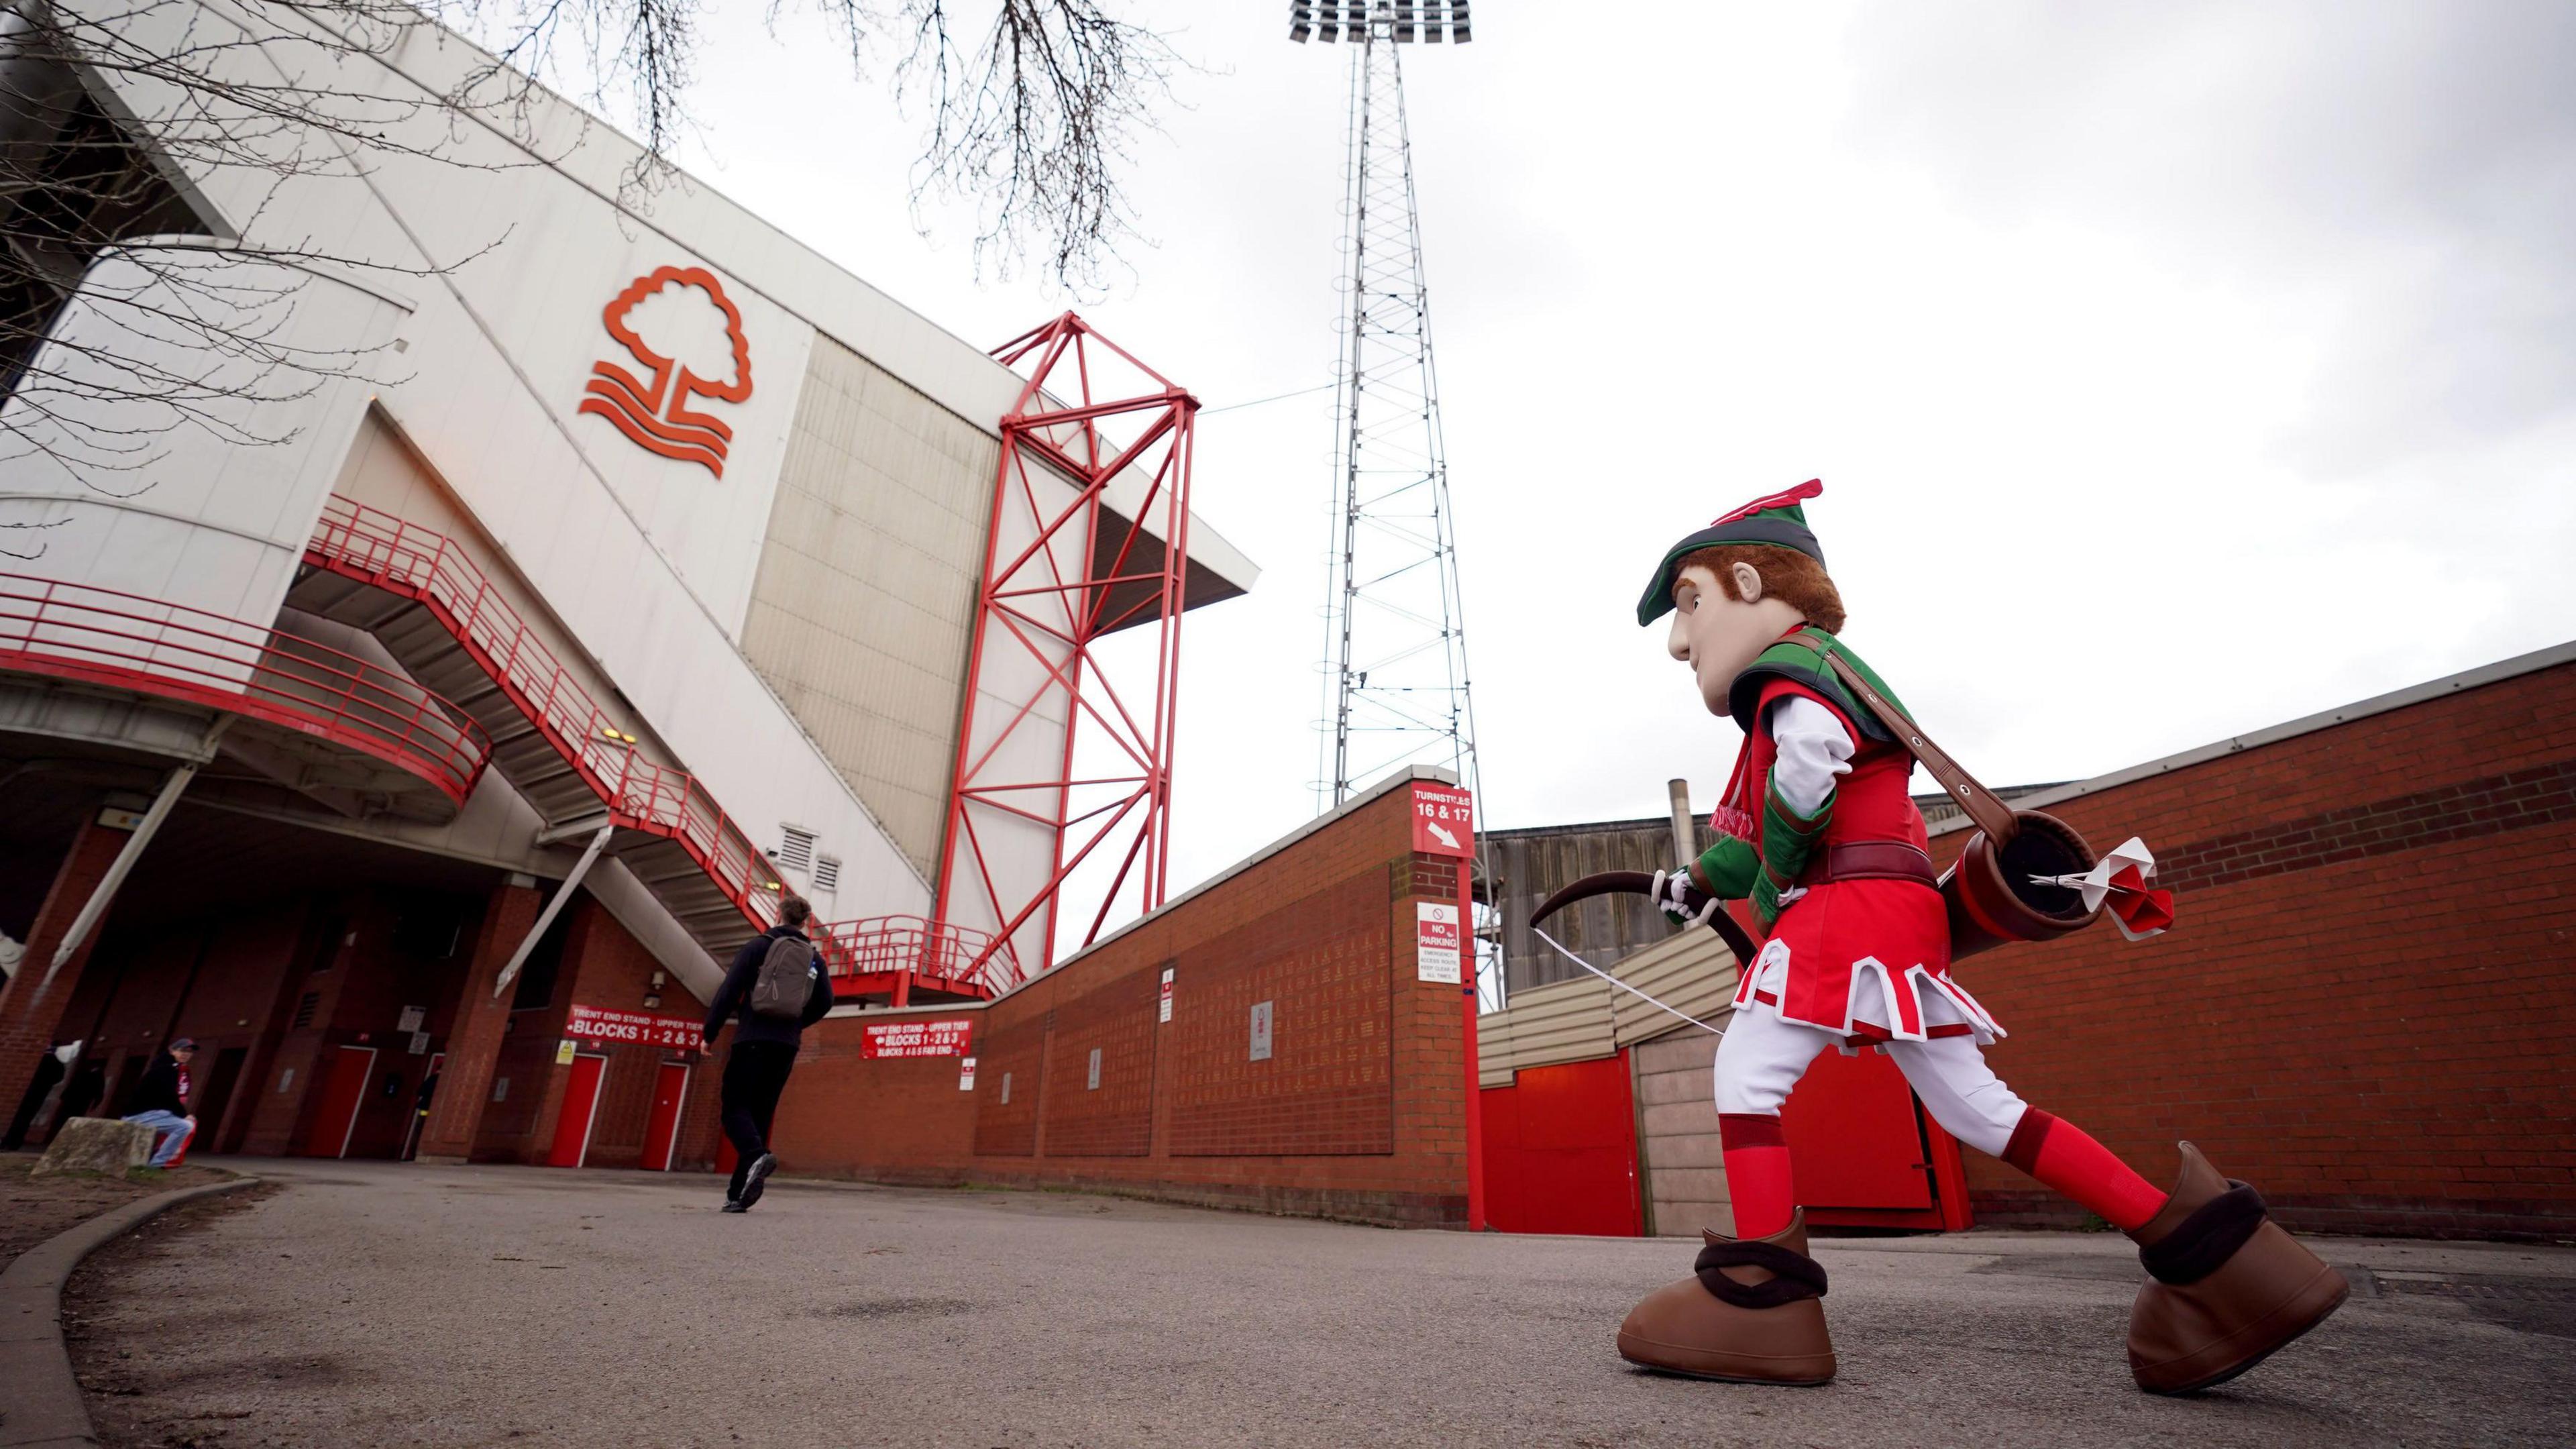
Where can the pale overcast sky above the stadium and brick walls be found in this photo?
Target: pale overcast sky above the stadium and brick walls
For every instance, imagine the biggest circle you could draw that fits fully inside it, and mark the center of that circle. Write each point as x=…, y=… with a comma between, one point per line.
x=2173, y=370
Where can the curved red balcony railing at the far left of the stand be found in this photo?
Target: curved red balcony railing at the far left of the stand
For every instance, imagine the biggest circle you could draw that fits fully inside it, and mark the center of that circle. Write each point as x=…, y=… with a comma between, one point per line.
x=102, y=636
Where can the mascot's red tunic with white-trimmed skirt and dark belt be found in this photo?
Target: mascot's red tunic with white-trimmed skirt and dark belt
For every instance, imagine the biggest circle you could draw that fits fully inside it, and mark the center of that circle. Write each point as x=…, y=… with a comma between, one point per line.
x=1853, y=955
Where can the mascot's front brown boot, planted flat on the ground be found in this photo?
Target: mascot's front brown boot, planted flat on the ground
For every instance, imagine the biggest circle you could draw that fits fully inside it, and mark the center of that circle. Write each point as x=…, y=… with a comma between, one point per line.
x=1748, y=1319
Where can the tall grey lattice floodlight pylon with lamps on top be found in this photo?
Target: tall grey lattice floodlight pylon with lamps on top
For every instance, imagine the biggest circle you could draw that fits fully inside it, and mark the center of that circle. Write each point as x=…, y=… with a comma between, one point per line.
x=1395, y=638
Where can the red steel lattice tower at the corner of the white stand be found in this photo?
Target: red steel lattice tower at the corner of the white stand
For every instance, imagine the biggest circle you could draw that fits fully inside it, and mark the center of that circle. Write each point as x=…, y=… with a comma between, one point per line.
x=1034, y=610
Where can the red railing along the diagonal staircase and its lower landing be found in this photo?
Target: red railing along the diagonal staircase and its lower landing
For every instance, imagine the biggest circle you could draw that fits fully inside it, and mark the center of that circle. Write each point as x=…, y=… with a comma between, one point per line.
x=648, y=798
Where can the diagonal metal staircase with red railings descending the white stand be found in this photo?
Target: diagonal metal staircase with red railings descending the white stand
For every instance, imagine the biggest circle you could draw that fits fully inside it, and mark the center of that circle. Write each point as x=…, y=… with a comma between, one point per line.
x=439, y=615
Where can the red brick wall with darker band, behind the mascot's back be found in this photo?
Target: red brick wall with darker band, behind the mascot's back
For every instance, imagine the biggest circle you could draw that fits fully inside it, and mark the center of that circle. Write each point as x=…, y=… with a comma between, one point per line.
x=2369, y=997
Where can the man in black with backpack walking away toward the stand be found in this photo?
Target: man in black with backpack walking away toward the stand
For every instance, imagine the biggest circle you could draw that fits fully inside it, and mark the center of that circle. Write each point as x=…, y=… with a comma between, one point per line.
x=774, y=991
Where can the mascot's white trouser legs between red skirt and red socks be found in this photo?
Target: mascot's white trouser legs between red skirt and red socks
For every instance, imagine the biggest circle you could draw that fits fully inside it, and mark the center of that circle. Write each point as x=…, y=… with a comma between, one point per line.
x=1763, y=1056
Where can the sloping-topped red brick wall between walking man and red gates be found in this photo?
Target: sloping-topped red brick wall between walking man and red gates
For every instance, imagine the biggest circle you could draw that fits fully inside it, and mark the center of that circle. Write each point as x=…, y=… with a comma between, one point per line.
x=1361, y=1110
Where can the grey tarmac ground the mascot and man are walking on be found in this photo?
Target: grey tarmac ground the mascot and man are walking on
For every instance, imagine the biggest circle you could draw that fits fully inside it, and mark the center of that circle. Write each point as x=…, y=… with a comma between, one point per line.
x=377, y=1303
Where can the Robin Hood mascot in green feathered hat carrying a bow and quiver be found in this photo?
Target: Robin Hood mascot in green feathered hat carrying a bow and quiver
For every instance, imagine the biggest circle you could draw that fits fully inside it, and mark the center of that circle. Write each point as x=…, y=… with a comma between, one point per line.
x=1856, y=942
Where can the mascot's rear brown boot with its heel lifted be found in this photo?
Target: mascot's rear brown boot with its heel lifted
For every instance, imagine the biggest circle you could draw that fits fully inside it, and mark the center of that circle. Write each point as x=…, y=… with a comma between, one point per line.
x=2227, y=1285
